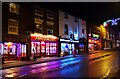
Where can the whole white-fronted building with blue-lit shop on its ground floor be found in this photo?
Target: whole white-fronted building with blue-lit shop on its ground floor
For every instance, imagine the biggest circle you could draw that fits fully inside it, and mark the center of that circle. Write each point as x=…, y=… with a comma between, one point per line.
x=71, y=30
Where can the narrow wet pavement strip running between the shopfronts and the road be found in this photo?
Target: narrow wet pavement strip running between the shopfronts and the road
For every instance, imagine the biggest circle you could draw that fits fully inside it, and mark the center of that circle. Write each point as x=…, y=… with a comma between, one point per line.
x=18, y=63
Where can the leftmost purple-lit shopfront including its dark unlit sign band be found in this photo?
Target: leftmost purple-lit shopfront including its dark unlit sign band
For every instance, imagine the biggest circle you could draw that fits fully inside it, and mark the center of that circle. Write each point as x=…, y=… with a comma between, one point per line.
x=13, y=47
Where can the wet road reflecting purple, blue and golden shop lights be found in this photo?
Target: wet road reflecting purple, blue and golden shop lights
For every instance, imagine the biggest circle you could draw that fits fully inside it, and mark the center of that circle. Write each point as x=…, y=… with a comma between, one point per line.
x=92, y=65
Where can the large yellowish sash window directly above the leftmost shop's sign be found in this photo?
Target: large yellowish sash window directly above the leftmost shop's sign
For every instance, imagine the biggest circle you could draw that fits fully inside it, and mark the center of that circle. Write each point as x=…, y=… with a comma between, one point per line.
x=12, y=26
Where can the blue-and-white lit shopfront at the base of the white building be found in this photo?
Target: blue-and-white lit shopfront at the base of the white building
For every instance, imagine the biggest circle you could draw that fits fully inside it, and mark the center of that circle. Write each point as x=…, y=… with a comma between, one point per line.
x=68, y=47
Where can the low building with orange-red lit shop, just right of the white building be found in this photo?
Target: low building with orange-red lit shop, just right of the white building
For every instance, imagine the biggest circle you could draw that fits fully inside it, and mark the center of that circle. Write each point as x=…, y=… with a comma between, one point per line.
x=94, y=37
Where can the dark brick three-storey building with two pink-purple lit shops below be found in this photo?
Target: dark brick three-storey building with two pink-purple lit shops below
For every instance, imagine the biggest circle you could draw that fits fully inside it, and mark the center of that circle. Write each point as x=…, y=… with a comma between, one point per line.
x=28, y=30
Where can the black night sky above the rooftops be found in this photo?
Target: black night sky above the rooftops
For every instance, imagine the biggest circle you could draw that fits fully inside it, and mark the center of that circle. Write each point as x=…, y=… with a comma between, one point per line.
x=94, y=12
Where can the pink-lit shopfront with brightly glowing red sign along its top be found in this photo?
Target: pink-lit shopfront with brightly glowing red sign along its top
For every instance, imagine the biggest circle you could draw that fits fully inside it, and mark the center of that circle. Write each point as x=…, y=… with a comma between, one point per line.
x=44, y=45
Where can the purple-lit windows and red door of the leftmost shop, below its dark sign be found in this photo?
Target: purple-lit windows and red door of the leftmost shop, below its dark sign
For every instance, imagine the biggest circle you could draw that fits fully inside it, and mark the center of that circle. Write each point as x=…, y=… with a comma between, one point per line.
x=13, y=51
